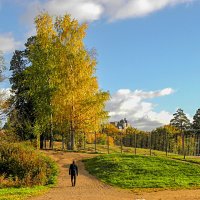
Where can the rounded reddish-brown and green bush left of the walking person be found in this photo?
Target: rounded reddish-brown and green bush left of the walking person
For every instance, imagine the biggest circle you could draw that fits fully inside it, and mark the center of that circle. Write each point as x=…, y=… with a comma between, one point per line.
x=22, y=166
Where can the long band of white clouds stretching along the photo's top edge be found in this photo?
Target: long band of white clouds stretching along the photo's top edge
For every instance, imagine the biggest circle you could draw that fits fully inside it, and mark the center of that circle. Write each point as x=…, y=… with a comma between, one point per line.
x=90, y=10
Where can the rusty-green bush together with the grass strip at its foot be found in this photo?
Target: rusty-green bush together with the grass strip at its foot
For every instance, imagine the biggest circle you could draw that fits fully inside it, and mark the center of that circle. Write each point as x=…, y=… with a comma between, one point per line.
x=24, y=172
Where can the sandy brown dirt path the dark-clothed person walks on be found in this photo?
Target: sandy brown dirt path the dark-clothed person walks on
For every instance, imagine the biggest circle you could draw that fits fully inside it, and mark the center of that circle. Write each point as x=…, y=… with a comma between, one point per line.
x=89, y=188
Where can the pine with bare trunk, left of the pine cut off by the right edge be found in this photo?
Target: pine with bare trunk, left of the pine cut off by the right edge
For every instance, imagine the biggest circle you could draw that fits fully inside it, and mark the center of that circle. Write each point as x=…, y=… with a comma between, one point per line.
x=181, y=121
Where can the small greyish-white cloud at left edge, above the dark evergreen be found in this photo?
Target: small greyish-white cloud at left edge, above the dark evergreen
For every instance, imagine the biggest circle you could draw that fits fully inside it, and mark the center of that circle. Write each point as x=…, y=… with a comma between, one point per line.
x=8, y=43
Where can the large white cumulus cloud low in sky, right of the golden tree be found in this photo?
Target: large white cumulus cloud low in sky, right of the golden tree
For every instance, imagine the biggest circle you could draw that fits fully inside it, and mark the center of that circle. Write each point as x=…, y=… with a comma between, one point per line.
x=134, y=106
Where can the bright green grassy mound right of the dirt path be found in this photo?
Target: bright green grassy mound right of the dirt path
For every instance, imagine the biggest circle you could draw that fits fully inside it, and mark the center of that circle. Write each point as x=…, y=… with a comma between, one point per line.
x=129, y=171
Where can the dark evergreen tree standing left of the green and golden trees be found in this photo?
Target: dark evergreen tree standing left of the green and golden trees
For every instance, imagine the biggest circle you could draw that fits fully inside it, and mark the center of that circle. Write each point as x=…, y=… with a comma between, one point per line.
x=21, y=116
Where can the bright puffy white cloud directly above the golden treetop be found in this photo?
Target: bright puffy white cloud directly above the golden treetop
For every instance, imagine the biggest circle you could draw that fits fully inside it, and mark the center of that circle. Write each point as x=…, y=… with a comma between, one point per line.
x=83, y=10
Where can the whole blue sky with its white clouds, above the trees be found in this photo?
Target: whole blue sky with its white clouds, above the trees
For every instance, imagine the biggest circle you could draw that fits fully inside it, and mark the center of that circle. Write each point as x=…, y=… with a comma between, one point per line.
x=148, y=51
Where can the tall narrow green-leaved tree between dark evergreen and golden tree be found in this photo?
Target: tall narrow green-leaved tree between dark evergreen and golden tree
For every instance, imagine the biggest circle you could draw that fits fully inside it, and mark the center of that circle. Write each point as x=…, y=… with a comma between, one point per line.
x=39, y=75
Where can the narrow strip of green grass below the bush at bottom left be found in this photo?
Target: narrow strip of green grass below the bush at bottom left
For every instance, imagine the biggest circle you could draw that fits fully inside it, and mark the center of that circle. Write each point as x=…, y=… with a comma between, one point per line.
x=21, y=193
